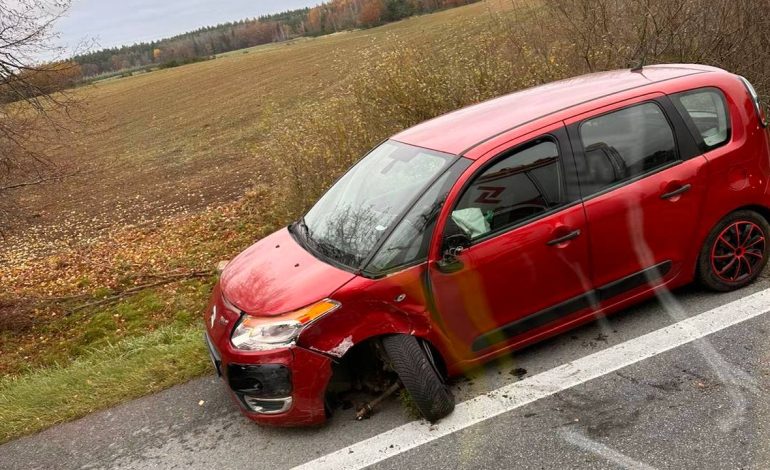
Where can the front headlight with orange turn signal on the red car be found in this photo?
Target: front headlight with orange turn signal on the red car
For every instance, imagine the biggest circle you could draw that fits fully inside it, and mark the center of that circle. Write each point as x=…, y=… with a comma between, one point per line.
x=262, y=333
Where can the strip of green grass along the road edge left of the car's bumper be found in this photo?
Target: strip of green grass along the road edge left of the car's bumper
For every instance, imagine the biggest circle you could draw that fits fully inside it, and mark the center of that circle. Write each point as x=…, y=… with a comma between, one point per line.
x=99, y=379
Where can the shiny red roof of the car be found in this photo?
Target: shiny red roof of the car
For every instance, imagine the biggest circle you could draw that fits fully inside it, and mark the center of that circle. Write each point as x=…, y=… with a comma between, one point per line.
x=460, y=131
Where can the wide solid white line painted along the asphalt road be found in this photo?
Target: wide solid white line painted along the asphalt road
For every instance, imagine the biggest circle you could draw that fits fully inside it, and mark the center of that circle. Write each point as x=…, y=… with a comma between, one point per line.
x=518, y=394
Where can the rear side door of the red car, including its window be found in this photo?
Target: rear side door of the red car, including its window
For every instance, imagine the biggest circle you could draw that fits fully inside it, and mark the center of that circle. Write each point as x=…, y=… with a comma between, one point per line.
x=642, y=180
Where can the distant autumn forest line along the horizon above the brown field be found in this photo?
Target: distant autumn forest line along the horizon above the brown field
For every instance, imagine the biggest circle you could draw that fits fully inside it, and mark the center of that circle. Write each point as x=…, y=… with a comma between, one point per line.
x=330, y=17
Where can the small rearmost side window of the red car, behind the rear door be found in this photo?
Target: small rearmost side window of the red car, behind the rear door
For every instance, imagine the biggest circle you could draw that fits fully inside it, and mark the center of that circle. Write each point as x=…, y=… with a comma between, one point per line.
x=706, y=113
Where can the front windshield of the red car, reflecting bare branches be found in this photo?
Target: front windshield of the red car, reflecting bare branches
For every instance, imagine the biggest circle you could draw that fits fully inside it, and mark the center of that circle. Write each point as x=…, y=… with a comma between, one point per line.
x=347, y=223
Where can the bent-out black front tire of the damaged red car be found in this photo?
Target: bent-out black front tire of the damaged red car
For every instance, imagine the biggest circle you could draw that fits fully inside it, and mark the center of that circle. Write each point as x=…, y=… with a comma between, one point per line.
x=419, y=376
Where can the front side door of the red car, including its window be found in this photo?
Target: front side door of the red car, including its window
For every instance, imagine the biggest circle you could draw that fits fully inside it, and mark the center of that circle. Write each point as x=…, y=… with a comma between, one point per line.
x=526, y=263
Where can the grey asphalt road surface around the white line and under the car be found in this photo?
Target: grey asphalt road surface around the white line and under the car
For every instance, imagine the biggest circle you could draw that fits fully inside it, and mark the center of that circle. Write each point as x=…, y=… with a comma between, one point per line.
x=702, y=405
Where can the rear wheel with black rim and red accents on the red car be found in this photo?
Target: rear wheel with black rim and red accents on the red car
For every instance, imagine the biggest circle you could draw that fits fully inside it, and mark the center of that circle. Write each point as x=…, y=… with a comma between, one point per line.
x=714, y=270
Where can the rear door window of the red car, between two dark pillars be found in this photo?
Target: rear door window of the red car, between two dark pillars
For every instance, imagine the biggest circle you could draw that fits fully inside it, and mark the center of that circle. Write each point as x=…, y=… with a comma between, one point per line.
x=623, y=145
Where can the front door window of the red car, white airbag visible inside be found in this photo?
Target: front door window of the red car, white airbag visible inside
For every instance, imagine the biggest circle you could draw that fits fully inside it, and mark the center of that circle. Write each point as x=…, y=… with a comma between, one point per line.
x=518, y=187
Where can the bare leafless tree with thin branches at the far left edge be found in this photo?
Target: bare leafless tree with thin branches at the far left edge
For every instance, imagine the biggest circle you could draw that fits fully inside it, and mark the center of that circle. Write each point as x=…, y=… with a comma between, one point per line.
x=34, y=103
